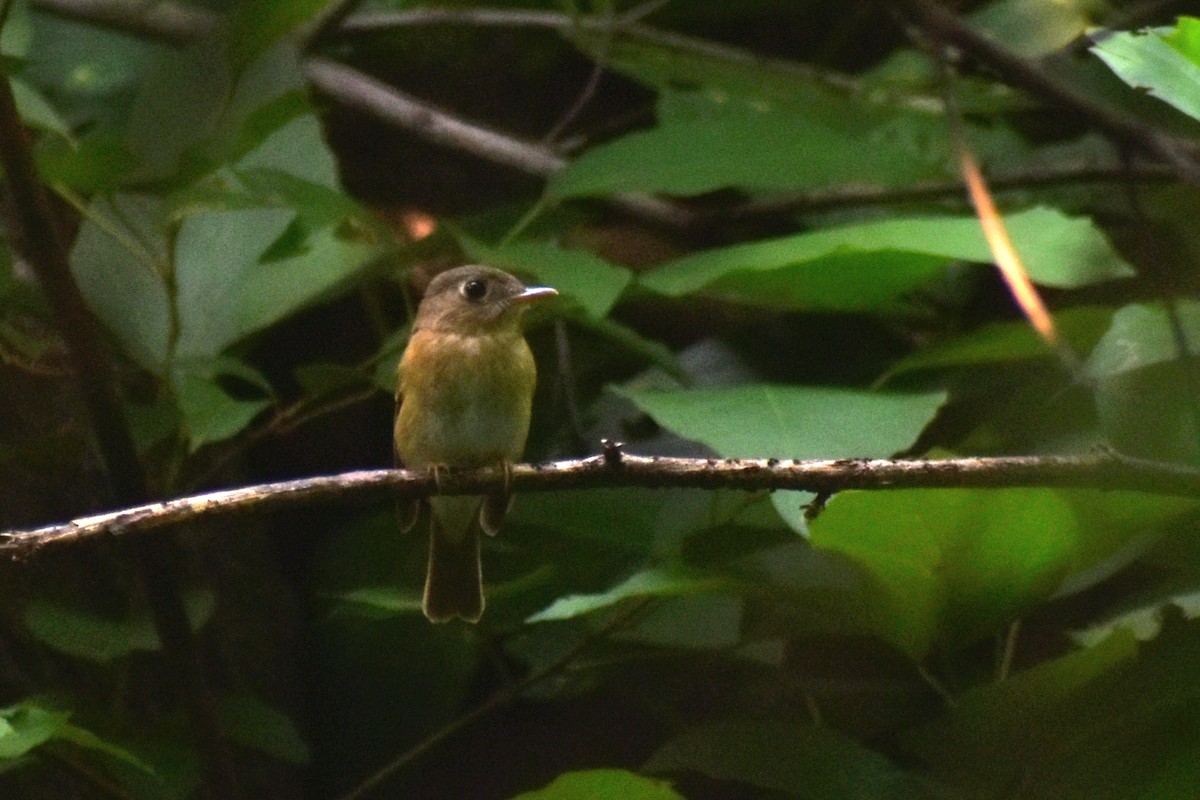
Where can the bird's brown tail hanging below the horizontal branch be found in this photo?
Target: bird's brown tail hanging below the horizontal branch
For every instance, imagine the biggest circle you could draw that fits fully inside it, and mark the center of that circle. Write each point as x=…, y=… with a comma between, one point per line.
x=454, y=585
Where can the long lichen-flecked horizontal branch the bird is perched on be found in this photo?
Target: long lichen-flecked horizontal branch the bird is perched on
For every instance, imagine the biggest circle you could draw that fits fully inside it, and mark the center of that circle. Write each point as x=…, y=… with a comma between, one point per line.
x=616, y=470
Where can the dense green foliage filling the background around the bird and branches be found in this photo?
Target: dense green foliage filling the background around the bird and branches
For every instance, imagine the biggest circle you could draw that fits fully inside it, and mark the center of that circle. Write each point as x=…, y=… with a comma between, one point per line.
x=638, y=645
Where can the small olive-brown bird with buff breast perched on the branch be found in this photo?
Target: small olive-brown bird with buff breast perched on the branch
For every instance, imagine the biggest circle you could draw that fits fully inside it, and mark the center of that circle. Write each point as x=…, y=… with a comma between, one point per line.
x=464, y=400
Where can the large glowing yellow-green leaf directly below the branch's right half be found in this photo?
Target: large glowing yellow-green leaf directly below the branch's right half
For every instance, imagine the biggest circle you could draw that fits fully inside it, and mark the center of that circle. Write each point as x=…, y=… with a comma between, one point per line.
x=959, y=564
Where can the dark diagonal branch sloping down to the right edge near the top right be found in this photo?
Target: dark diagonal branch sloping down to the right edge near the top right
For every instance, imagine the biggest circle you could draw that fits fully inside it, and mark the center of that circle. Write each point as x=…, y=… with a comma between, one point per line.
x=945, y=27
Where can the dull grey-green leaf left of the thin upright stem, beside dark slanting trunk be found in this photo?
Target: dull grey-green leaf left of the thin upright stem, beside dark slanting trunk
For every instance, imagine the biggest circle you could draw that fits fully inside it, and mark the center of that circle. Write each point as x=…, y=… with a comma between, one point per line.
x=121, y=263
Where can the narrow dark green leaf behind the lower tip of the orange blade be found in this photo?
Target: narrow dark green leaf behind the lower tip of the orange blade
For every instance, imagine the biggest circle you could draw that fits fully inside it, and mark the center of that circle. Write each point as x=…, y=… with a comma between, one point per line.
x=1003, y=342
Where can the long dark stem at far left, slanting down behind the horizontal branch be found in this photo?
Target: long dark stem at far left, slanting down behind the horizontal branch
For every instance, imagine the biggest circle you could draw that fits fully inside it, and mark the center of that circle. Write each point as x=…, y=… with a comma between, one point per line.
x=41, y=243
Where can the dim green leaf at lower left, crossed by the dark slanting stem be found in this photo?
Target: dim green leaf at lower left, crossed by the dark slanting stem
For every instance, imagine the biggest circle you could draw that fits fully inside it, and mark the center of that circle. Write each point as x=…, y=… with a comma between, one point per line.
x=94, y=637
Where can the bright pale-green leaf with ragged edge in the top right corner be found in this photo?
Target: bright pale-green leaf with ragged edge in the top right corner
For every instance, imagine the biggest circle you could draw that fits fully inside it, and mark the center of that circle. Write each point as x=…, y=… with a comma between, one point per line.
x=1161, y=61
